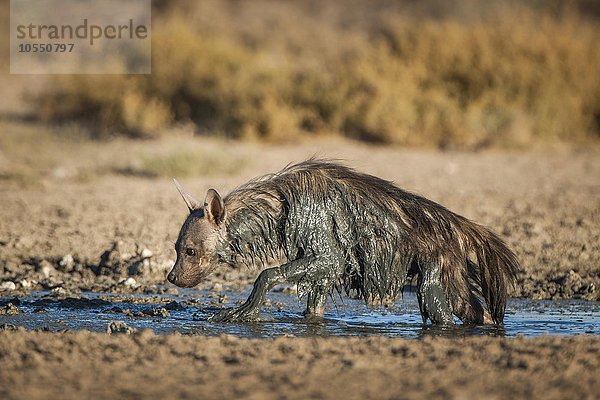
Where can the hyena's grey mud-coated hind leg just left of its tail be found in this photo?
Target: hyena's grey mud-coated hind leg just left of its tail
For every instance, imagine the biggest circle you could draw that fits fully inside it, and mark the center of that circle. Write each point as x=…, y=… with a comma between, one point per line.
x=433, y=302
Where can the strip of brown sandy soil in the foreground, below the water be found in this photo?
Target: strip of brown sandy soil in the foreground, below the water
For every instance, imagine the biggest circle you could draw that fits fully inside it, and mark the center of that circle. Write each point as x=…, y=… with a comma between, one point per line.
x=82, y=365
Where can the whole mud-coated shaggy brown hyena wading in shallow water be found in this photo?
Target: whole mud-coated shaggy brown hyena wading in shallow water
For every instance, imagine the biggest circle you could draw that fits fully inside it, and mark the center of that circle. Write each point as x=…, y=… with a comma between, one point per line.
x=330, y=227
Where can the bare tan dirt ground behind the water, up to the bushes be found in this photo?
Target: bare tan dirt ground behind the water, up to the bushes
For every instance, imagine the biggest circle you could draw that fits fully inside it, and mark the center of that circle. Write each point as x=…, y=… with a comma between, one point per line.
x=90, y=220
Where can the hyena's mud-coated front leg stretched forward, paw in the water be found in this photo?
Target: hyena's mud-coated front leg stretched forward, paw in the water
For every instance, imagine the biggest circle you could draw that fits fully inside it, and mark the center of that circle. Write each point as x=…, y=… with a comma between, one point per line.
x=309, y=268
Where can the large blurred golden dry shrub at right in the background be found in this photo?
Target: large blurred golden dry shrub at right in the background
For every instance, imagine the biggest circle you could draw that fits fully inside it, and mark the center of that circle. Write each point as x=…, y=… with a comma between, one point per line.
x=476, y=84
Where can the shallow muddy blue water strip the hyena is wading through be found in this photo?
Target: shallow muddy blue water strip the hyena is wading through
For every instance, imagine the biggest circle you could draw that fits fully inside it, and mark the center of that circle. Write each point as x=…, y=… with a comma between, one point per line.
x=189, y=311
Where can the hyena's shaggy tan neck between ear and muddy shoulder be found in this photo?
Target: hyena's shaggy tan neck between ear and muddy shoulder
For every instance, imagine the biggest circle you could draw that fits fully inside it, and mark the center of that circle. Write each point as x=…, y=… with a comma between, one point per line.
x=252, y=232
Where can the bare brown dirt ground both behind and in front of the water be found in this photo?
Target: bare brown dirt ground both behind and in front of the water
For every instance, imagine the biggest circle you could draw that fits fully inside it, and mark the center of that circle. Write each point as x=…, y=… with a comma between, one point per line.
x=84, y=218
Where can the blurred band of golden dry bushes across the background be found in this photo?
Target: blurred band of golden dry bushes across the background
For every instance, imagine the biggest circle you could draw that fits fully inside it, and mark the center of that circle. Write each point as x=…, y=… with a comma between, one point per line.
x=449, y=74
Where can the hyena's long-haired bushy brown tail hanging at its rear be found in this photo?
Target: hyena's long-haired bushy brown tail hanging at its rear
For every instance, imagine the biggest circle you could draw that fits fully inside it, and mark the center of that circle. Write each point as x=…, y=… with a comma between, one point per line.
x=488, y=275
